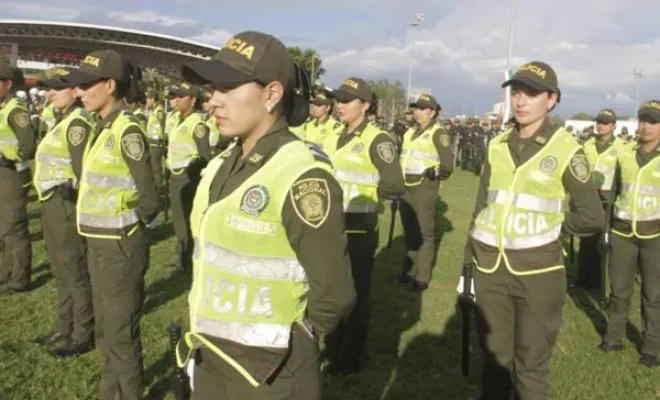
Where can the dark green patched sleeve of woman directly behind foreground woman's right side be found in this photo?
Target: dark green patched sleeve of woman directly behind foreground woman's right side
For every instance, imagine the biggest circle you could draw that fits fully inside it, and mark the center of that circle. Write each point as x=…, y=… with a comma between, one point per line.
x=386, y=159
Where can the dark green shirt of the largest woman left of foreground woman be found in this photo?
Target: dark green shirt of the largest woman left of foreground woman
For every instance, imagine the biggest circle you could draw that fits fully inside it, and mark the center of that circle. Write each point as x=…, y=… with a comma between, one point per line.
x=139, y=165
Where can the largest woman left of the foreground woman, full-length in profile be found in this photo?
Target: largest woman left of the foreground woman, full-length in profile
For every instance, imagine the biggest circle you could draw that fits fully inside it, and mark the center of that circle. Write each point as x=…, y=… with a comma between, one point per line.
x=117, y=197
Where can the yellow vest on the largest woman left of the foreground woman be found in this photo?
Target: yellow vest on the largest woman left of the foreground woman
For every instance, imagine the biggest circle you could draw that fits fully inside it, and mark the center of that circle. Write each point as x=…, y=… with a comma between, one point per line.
x=108, y=197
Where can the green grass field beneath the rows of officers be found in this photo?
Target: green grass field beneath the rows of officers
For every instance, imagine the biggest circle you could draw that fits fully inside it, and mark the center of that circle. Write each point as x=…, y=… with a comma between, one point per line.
x=414, y=343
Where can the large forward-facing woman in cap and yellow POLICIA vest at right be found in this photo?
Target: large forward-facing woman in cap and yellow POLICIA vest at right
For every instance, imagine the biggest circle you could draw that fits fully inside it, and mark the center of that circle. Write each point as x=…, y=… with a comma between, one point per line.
x=520, y=280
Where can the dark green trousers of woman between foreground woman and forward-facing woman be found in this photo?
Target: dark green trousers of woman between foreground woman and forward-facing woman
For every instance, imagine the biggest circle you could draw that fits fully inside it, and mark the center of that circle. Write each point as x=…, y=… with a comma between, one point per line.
x=418, y=216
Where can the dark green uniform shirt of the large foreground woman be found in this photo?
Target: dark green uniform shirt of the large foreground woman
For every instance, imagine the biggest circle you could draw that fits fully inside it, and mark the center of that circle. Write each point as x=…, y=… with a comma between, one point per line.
x=319, y=250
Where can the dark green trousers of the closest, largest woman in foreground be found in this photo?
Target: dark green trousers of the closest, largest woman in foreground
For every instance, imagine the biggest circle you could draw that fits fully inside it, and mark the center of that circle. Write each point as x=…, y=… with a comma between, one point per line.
x=298, y=378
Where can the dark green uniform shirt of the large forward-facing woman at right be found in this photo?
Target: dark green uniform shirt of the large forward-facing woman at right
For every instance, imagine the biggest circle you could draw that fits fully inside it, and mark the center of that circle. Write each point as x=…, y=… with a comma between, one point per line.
x=585, y=217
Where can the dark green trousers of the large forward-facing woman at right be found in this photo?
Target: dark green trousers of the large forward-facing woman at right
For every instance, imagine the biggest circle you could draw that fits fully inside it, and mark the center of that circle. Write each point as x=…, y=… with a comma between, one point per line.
x=518, y=321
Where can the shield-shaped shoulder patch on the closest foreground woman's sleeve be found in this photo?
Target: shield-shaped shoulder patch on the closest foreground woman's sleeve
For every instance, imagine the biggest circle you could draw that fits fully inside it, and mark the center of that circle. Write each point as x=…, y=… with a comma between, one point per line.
x=311, y=200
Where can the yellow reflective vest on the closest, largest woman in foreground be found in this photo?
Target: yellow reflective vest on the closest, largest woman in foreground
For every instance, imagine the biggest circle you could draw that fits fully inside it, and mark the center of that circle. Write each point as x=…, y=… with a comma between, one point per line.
x=248, y=286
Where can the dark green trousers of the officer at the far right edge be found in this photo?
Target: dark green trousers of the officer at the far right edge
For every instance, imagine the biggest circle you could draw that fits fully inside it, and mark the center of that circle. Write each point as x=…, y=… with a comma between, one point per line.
x=625, y=257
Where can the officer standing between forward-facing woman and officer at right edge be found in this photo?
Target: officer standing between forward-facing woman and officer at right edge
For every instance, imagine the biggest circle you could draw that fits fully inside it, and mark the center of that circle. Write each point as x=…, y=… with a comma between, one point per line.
x=601, y=152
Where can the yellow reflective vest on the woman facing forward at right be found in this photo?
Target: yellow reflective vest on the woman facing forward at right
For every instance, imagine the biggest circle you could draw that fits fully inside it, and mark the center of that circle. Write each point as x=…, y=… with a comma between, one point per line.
x=525, y=203
